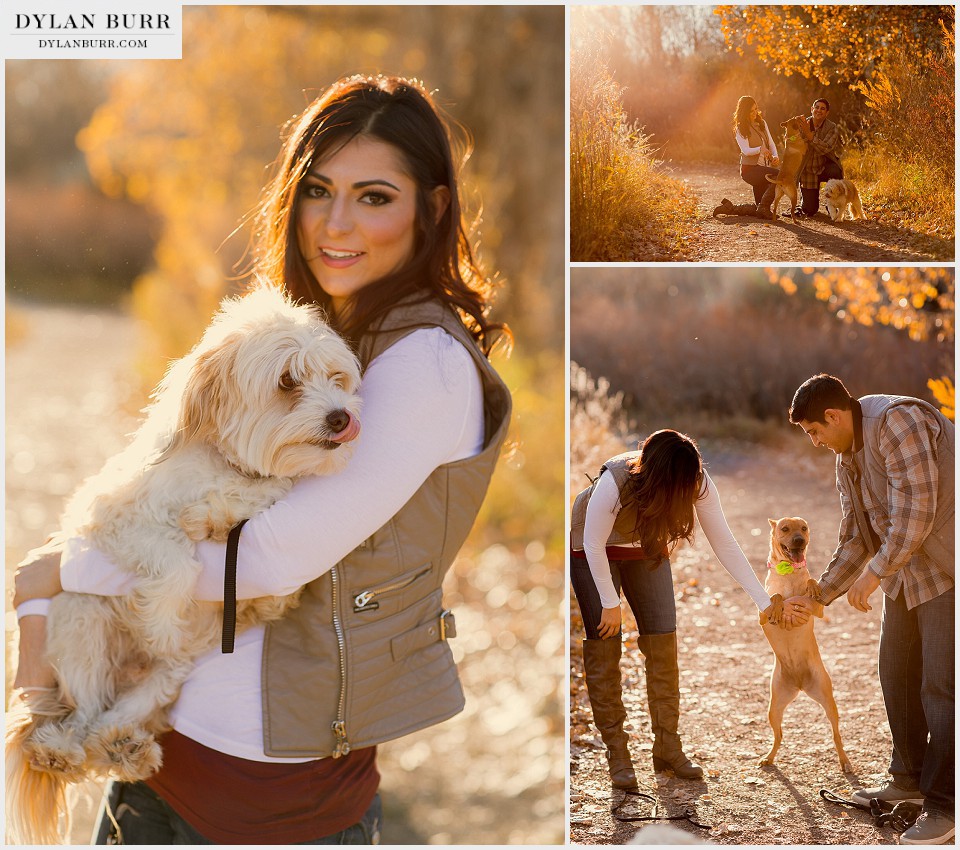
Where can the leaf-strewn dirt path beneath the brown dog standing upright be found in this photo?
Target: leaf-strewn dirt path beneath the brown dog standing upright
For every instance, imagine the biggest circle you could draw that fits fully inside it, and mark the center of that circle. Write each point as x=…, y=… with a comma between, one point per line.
x=725, y=667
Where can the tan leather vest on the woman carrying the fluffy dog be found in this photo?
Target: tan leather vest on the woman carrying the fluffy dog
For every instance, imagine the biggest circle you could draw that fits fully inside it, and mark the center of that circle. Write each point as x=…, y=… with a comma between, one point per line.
x=364, y=658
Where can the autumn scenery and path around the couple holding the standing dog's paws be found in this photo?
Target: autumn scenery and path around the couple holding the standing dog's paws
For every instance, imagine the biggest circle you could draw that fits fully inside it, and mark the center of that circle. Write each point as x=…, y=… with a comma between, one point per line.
x=717, y=353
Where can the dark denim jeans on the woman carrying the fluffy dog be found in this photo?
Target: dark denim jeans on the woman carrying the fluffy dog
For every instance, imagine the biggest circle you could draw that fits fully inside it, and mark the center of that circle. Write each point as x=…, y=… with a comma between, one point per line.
x=145, y=818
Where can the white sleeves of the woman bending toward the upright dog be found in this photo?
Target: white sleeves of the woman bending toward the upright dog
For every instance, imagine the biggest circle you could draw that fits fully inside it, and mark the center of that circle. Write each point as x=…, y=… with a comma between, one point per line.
x=602, y=512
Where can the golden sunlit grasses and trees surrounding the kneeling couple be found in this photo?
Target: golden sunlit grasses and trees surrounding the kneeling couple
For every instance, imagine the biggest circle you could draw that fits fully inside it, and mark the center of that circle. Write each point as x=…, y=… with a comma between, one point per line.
x=653, y=91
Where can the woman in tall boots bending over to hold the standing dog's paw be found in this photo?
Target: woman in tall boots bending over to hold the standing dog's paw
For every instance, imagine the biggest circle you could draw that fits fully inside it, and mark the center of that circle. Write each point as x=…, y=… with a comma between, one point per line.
x=623, y=529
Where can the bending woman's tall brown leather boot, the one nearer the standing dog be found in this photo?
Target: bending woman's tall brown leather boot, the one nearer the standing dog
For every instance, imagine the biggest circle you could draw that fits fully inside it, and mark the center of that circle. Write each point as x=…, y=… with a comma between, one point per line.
x=663, y=696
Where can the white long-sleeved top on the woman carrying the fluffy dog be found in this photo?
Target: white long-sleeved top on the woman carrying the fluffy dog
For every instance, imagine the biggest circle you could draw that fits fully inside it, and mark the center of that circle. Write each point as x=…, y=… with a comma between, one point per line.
x=422, y=408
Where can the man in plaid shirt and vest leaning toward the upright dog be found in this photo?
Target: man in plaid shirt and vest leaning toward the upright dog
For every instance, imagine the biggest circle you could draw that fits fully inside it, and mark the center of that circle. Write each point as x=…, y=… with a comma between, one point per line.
x=895, y=474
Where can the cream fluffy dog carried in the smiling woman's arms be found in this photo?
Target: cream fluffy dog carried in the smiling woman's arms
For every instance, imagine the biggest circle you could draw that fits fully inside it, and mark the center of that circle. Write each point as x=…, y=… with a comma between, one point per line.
x=267, y=395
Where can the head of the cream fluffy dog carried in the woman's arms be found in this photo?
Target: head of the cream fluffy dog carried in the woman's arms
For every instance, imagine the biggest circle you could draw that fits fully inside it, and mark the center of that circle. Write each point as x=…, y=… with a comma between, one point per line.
x=272, y=387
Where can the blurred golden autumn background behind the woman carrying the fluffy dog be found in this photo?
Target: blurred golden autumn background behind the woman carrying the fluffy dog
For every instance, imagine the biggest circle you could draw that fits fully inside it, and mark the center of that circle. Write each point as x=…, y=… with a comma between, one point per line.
x=127, y=188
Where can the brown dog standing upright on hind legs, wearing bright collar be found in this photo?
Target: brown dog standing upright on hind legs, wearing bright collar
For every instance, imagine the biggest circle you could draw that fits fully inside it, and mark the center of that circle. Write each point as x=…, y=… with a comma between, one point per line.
x=798, y=666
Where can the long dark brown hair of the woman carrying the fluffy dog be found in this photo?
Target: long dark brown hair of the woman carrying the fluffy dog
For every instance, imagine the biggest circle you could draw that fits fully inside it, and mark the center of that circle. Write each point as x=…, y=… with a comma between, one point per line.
x=400, y=112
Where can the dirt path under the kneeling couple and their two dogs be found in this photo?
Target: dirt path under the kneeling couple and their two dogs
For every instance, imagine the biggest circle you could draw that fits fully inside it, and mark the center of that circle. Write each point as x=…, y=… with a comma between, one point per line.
x=746, y=239
